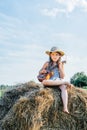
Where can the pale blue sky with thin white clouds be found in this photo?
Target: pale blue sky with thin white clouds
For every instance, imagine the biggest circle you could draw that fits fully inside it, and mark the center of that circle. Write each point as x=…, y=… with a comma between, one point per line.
x=28, y=28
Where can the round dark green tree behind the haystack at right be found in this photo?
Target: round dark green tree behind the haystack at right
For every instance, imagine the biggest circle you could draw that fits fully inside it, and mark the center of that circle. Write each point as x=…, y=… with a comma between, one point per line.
x=79, y=79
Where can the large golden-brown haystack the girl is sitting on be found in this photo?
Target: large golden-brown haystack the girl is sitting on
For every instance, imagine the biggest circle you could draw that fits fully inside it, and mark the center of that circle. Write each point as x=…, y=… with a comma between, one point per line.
x=40, y=108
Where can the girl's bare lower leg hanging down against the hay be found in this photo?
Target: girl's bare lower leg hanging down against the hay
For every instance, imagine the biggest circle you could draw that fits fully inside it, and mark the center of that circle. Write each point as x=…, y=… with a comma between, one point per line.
x=64, y=96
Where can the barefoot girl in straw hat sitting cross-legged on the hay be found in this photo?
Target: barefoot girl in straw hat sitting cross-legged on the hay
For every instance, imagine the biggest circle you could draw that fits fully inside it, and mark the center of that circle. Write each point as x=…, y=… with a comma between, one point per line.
x=58, y=74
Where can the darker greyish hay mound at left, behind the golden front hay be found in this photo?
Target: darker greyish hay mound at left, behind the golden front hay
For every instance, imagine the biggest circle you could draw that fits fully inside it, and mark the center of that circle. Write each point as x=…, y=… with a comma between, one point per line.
x=11, y=96
